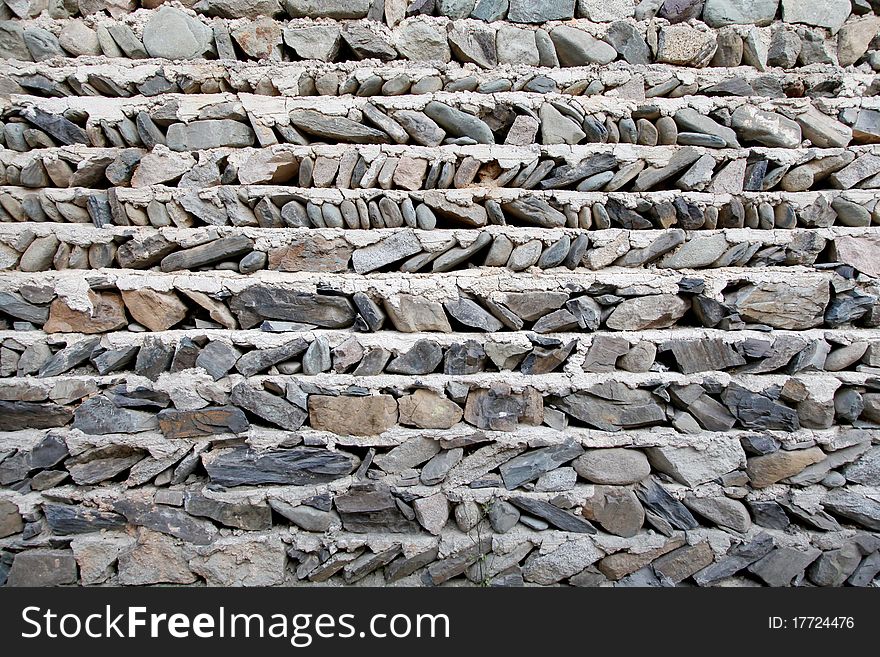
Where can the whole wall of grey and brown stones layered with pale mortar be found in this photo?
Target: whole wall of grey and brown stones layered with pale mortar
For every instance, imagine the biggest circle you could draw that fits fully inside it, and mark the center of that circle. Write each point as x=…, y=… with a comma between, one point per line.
x=441, y=292
